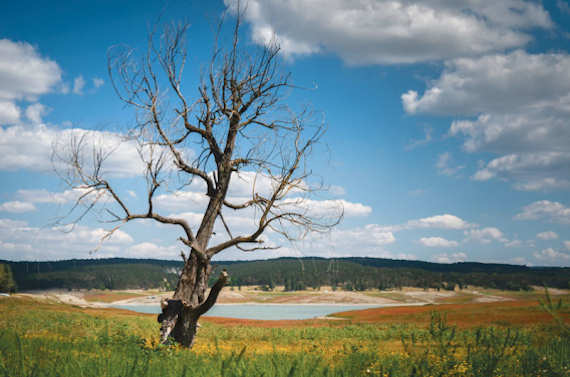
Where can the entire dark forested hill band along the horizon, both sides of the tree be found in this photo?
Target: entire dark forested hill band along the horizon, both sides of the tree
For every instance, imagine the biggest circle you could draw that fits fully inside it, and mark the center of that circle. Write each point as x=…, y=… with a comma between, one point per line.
x=293, y=273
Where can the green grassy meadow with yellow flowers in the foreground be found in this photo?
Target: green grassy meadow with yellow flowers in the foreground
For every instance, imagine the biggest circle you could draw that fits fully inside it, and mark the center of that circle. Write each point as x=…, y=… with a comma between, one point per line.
x=510, y=338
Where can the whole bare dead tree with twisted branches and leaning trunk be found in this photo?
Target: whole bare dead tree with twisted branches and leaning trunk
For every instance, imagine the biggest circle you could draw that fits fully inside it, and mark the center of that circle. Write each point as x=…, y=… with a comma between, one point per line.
x=237, y=122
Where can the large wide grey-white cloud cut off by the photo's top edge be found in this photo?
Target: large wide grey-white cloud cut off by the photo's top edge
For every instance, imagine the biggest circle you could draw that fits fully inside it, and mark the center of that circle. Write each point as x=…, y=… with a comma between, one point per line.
x=391, y=32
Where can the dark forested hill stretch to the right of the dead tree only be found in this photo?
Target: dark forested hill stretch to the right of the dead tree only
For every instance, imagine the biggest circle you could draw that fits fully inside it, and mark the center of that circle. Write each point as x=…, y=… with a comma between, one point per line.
x=364, y=273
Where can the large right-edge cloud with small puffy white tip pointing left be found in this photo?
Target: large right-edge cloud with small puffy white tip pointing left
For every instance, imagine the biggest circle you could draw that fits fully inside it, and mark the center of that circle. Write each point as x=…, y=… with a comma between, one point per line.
x=492, y=83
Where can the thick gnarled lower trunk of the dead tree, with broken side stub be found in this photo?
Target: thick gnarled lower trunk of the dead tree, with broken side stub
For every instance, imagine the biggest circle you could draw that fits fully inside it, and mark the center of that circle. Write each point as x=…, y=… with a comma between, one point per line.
x=179, y=317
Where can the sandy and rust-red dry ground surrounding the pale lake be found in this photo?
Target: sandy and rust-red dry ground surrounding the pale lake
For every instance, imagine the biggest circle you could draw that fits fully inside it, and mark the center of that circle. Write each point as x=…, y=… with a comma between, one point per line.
x=467, y=308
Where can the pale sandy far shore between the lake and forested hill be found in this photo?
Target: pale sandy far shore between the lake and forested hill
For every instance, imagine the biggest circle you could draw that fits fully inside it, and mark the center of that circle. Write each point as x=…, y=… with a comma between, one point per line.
x=255, y=296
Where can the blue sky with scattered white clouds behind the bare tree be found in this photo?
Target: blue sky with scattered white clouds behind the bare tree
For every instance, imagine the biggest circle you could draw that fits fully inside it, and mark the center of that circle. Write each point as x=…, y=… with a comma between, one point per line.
x=448, y=123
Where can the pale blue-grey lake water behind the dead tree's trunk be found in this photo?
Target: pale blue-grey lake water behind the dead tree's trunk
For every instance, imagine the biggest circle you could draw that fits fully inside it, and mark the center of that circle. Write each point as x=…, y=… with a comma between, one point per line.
x=264, y=311
